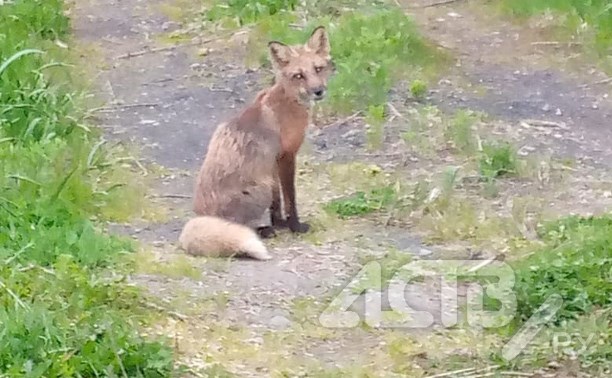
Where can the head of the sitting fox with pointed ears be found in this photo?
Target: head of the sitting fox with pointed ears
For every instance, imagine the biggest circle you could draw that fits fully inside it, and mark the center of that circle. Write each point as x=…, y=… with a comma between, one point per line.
x=303, y=70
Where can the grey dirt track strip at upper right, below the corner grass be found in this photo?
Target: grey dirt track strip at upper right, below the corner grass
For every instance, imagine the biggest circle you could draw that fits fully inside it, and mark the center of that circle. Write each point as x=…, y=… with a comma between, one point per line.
x=505, y=72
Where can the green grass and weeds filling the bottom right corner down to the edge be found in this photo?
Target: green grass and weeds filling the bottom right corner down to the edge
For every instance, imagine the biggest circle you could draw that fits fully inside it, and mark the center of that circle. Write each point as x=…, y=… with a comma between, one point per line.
x=574, y=263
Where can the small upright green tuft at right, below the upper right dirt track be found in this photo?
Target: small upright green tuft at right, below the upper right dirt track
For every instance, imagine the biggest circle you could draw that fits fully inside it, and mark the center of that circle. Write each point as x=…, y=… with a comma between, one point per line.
x=498, y=160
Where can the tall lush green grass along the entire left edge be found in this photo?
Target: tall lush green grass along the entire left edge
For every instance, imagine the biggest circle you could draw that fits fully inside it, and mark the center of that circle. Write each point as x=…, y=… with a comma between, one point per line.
x=65, y=309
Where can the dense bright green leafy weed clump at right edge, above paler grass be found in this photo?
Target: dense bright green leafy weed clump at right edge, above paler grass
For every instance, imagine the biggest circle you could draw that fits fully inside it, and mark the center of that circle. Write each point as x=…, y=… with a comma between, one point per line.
x=576, y=264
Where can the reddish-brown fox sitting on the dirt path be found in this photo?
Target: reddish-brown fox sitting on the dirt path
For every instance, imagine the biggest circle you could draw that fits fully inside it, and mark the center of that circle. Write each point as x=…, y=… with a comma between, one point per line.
x=251, y=158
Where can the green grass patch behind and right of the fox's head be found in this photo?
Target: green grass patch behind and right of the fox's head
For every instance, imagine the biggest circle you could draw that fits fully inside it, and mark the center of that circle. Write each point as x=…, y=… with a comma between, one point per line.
x=379, y=44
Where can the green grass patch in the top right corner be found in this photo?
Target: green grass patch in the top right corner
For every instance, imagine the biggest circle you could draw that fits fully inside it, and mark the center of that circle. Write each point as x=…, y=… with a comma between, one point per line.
x=596, y=15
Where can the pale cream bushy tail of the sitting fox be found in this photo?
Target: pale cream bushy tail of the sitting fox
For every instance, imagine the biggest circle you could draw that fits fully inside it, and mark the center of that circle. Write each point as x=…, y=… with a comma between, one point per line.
x=216, y=237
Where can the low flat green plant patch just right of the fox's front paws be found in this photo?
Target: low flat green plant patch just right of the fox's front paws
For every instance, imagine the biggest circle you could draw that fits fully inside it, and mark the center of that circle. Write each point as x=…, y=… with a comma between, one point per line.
x=362, y=203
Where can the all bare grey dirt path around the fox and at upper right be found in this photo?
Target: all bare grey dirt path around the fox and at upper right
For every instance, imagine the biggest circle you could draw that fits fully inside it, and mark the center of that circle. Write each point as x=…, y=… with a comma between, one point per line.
x=252, y=317
